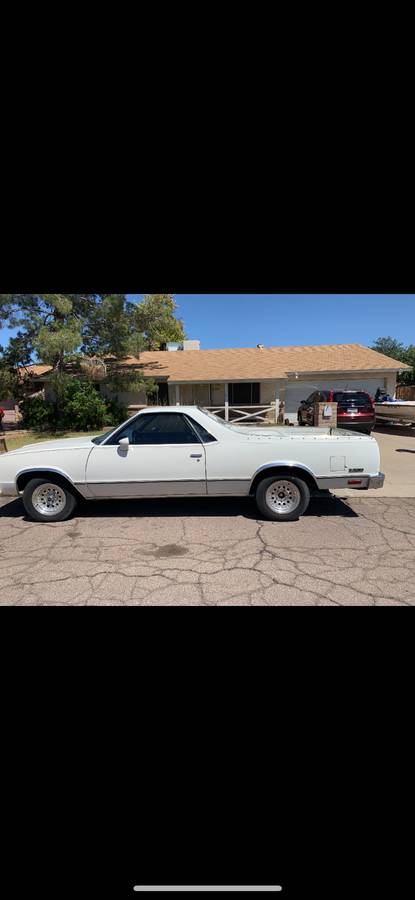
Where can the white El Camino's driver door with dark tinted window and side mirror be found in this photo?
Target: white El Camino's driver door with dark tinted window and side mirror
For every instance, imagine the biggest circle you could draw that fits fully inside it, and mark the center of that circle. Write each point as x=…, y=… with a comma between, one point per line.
x=163, y=457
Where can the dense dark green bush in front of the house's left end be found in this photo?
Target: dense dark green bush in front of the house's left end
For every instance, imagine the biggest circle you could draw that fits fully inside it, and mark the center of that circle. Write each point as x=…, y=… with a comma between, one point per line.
x=80, y=408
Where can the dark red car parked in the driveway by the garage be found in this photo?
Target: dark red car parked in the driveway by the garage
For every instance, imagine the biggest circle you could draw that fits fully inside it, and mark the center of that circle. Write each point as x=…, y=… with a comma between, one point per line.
x=355, y=409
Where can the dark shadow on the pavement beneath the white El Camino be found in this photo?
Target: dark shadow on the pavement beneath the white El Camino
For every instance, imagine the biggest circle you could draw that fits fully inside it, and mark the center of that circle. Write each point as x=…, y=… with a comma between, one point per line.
x=326, y=505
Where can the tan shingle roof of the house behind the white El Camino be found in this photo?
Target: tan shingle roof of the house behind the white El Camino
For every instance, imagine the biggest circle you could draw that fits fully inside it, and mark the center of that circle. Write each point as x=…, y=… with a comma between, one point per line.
x=252, y=364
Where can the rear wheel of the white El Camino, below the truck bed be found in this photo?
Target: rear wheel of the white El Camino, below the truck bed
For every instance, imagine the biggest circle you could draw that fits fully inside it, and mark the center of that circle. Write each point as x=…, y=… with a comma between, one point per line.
x=300, y=496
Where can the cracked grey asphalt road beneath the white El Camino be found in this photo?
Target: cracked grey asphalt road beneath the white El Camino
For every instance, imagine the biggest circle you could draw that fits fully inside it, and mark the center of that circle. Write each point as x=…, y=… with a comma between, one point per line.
x=343, y=552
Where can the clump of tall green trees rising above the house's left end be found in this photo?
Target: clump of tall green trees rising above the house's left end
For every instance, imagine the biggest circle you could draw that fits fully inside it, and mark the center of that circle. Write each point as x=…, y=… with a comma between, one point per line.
x=58, y=329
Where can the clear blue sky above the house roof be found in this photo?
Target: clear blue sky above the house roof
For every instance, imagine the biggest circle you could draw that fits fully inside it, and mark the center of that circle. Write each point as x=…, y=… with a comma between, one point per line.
x=235, y=320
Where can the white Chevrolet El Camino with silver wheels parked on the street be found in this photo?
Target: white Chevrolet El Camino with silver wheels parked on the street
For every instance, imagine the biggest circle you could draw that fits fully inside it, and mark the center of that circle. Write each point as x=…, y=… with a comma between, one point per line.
x=185, y=451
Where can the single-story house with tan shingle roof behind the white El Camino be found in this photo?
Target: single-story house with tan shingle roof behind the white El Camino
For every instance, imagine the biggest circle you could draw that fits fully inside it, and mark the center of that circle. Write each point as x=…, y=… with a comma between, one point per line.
x=260, y=376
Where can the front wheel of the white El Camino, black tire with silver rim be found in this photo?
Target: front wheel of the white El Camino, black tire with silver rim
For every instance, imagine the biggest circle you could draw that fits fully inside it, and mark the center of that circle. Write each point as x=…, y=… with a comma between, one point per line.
x=59, y=498
